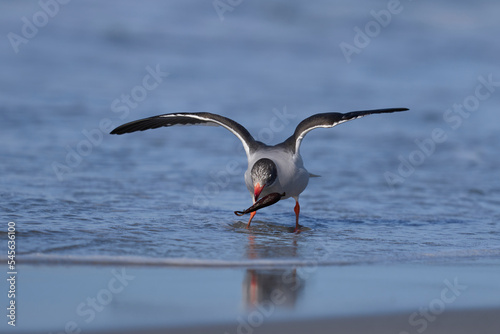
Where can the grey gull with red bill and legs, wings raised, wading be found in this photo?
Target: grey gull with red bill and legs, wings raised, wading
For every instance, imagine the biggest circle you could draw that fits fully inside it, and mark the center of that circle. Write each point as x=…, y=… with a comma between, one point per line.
x=271, y=169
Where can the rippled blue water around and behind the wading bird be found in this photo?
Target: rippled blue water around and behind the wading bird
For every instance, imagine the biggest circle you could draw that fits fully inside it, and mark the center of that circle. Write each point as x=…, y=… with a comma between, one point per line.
x=170, y=193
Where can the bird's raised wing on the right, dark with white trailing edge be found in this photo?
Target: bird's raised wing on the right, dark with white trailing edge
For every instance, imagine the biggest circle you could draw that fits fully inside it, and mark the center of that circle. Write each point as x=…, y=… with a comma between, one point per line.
x=328, y=120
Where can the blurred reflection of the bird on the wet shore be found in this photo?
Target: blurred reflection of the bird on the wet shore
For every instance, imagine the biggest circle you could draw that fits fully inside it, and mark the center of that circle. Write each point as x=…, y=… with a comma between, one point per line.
x=278, y=287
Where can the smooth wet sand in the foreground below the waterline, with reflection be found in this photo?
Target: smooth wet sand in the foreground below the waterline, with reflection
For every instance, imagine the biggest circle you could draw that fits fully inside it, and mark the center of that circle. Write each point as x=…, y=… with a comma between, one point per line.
x=375, y=298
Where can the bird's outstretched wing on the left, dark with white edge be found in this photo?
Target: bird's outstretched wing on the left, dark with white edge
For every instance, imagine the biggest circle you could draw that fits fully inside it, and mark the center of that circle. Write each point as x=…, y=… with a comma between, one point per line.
x=202, y=118
